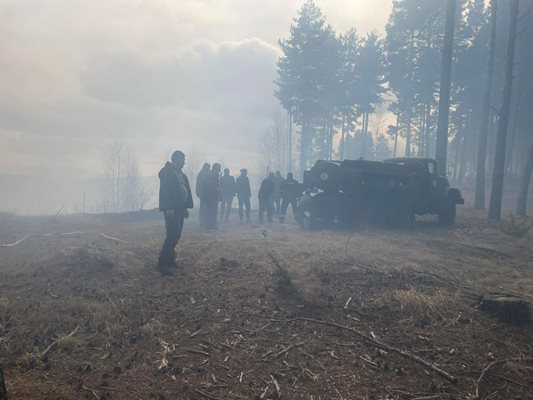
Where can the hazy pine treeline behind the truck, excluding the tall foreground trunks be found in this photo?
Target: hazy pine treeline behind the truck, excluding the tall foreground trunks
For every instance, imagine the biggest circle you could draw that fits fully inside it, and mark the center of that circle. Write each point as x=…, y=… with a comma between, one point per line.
x=333, y=84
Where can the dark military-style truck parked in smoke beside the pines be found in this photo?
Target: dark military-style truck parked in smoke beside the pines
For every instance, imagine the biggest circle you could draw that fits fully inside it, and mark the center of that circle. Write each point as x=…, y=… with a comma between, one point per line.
x=390, y=193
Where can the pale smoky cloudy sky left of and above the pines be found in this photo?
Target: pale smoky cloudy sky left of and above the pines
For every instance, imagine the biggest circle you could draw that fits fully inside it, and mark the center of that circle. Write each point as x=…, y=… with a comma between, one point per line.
x=159, y=75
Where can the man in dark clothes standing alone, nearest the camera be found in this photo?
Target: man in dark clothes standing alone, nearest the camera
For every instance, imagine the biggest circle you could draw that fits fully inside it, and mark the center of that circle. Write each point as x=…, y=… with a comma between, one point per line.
x=174, y=199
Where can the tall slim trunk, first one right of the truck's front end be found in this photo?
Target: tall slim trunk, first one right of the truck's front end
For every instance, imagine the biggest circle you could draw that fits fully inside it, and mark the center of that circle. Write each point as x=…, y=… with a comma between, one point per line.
x=479, y=201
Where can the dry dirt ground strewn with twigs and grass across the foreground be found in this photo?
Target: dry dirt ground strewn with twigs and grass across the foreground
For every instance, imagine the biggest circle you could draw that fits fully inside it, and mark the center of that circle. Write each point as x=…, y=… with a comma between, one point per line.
x=261, y=312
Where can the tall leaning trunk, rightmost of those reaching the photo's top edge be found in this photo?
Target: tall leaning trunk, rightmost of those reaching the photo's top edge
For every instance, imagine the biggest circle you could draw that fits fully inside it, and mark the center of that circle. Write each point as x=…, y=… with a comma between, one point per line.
x=495, y=206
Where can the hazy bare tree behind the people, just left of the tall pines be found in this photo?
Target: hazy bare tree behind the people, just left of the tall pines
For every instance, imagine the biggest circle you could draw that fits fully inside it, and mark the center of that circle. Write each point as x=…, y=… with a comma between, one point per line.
x=273, y=149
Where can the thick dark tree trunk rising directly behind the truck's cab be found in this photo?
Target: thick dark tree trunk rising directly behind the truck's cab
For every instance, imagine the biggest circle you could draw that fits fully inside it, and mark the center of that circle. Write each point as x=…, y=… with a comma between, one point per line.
x=445, y=84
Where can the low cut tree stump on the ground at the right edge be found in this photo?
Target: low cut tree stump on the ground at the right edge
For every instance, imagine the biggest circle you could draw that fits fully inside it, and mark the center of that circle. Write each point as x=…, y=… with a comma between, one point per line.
x=507, y=308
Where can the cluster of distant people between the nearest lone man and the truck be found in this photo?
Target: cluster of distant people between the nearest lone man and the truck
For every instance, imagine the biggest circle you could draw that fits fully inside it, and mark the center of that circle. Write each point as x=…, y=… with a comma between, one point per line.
x=217, y=193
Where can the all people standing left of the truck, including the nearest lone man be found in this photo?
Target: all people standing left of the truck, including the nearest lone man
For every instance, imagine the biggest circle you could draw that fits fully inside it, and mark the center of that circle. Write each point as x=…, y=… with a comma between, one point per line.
x=216, y=193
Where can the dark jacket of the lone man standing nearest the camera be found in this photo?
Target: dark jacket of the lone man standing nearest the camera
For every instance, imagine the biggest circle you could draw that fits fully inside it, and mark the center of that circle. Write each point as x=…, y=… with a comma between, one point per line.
x=174, y=189
